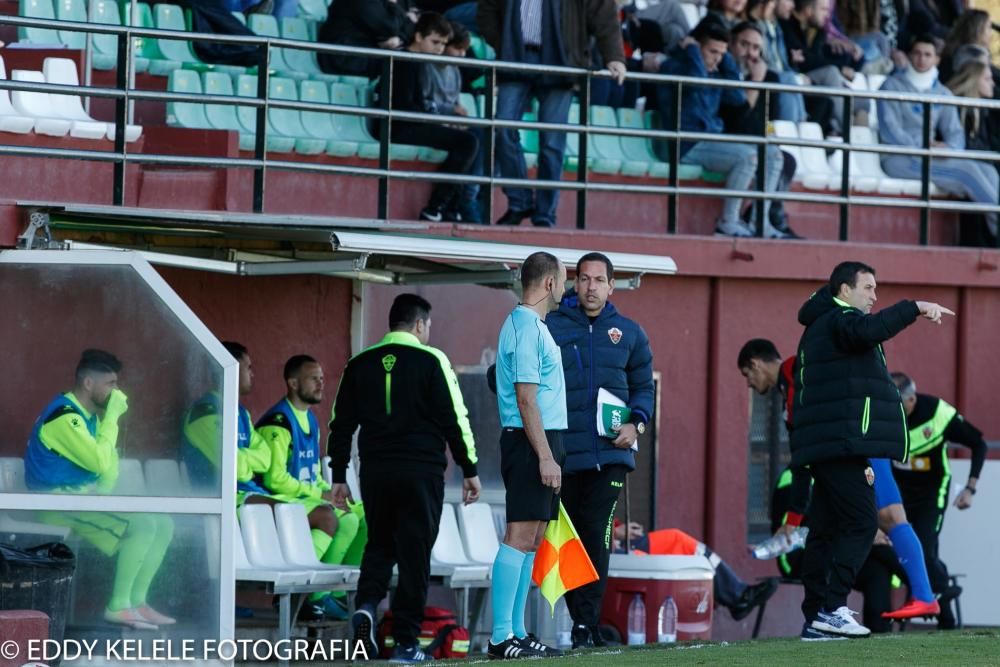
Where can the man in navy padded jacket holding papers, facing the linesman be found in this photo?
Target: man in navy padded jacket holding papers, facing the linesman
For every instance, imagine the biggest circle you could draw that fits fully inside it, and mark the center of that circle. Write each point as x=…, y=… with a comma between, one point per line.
x=601, y=349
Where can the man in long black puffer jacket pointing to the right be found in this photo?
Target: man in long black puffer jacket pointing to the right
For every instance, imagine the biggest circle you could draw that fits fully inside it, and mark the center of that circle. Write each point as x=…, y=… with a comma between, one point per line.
x=847, y=410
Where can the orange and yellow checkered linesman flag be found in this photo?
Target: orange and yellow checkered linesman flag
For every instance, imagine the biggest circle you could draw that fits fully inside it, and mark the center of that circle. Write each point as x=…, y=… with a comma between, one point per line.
x=561, y=563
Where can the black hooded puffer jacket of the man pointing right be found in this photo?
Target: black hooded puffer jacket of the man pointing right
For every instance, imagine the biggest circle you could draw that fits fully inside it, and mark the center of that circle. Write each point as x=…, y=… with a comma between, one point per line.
x=846, y=405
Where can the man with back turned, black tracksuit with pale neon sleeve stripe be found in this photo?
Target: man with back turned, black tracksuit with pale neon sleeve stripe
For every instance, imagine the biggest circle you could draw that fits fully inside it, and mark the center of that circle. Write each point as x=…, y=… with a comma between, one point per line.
x=405, y=397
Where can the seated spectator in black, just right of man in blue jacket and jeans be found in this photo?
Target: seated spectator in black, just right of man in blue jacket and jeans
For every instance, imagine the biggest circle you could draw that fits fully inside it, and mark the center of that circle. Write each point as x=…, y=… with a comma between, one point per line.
x=748, y=117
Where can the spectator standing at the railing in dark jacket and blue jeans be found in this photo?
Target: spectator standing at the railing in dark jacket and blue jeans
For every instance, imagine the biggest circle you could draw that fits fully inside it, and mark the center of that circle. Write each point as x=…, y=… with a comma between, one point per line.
x=530, y=31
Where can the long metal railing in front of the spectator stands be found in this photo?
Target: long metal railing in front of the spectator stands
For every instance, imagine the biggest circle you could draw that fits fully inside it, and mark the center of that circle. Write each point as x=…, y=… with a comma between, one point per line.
x=125, y=94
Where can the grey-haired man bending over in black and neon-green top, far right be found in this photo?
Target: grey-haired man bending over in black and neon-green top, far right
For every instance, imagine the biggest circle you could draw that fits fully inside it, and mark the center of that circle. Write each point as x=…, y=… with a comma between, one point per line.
x=925, y=477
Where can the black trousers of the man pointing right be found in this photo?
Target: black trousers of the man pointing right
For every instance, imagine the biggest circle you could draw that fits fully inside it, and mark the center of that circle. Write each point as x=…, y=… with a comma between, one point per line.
x=842, y=524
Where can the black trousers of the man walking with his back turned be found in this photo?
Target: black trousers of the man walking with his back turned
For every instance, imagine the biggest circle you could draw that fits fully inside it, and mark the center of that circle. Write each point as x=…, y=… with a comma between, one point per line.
x=403, y=511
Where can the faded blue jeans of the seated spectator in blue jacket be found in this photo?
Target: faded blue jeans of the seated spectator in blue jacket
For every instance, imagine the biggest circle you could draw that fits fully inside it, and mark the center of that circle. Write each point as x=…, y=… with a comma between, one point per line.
x=739, y=163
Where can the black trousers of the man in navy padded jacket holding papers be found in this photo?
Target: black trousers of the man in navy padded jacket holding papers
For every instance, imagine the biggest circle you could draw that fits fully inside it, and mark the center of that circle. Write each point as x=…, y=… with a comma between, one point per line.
x=590, y=498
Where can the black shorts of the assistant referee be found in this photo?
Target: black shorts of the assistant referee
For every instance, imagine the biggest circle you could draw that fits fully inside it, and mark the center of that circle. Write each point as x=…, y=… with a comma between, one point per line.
x=527, y=498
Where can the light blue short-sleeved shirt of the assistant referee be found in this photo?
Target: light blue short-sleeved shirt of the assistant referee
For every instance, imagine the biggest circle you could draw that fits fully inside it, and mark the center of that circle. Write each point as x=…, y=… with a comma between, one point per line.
x=527, y=354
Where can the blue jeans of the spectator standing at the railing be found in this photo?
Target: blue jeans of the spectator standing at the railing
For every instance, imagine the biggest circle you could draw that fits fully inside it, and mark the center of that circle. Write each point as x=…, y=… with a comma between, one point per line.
x=553, y=107
